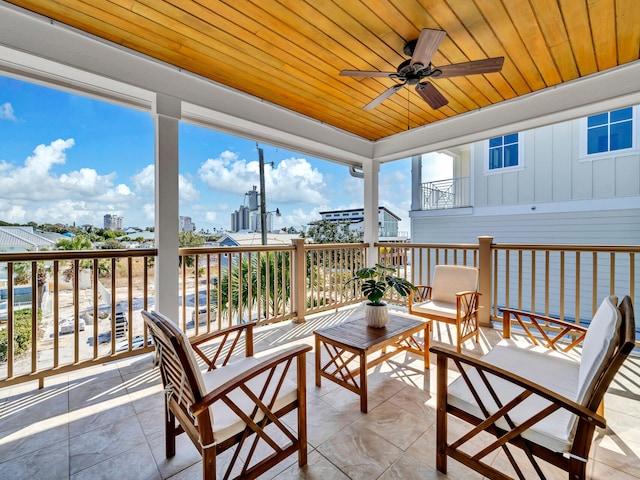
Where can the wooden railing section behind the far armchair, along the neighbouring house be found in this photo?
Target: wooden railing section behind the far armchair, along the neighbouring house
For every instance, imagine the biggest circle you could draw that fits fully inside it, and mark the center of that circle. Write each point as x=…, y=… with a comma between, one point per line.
x=565, y=281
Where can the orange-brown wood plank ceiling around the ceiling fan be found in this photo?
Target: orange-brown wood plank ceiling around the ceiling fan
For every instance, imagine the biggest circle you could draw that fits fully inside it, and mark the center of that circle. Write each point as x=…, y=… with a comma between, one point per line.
x=290, y=52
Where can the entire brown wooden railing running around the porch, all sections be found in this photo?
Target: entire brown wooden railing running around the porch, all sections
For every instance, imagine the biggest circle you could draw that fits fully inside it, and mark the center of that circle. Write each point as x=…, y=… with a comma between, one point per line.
x=62, y=311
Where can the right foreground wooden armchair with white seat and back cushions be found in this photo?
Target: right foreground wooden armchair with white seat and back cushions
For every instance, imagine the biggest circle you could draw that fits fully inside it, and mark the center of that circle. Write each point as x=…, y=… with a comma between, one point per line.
x=540, y=398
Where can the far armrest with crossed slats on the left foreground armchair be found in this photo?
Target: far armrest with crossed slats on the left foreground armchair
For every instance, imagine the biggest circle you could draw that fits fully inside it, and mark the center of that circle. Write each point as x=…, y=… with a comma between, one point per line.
x=230, y=338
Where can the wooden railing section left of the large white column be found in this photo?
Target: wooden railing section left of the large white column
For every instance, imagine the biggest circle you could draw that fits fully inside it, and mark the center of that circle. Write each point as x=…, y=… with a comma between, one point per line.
x=83, y=310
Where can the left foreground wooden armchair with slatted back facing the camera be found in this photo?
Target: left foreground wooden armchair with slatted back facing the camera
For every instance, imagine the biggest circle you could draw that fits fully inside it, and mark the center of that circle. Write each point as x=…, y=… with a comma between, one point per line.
x=235, y=402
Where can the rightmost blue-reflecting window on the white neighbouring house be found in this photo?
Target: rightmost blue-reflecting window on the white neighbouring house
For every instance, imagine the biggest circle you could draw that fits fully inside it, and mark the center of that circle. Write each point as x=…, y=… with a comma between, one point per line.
x=610, y=131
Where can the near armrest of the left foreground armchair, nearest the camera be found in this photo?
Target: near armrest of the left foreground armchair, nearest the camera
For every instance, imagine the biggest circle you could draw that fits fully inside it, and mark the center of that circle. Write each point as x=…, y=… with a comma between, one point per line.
x=271, y=363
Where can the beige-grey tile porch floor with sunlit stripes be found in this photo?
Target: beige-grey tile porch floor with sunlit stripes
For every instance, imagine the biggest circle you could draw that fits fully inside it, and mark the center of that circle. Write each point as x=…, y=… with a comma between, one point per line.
x=106, y=422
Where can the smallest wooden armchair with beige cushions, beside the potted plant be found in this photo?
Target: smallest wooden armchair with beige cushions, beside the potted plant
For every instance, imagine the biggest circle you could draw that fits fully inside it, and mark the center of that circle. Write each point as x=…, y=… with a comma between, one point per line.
x=452, y=298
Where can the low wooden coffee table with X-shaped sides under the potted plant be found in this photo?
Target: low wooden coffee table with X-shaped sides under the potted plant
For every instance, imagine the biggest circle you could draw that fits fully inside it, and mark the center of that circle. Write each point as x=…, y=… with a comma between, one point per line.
x=353, y=340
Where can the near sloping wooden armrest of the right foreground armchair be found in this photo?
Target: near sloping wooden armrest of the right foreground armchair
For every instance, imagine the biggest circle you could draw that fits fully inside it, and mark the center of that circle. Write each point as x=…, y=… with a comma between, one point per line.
x=553, y=397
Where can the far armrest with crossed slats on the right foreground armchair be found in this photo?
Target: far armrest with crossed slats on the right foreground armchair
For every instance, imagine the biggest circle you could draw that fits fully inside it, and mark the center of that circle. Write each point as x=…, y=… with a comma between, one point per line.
x=541, y=324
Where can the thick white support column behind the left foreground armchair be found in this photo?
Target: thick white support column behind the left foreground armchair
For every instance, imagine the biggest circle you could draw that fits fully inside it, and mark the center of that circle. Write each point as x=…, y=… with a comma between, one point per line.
x=166, y=116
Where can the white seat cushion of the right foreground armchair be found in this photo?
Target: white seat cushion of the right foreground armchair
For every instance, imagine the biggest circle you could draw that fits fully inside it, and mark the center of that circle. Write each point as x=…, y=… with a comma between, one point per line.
x=553, y=370
